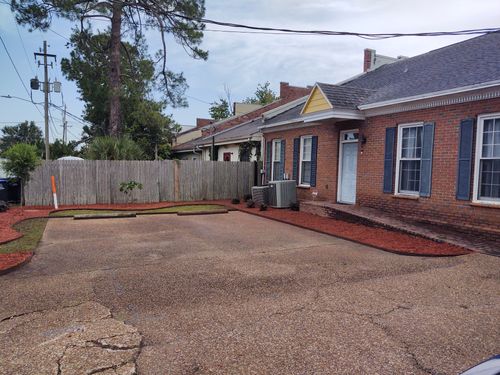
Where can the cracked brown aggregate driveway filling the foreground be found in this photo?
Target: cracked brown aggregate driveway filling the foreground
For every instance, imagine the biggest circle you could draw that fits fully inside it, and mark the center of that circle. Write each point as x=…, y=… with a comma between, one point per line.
x=235, y=293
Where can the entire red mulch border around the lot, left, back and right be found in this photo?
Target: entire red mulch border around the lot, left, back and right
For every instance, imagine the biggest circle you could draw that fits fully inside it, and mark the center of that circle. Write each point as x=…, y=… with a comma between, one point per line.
x=384, y=239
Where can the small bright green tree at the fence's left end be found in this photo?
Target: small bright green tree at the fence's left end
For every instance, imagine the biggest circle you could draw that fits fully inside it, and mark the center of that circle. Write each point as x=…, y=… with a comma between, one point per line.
x=20, y=160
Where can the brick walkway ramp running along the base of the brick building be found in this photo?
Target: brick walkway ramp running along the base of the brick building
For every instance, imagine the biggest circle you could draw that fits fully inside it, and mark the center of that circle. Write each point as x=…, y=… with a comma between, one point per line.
x=487, y=243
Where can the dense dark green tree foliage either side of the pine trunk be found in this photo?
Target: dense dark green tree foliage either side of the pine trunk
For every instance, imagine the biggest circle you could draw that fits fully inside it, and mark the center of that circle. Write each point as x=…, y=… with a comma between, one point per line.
x=142, y=116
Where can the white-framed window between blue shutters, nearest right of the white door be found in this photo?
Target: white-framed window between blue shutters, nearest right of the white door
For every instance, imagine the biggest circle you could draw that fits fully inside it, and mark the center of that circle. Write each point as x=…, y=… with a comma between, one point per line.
x=410, y=139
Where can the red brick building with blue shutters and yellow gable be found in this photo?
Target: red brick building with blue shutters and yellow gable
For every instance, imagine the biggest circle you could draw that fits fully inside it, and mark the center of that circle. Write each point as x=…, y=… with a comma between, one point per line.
x=418, y=137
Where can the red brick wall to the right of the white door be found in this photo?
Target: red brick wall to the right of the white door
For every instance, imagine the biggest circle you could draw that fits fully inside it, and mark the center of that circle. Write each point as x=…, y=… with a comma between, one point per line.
x=442, y=205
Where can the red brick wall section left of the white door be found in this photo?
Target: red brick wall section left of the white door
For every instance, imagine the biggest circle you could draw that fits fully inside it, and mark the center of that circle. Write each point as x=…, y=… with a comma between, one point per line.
x=328, y=141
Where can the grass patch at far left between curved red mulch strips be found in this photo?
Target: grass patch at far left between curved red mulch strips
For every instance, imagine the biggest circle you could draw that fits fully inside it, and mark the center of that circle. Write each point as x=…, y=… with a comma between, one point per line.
x=32, y=230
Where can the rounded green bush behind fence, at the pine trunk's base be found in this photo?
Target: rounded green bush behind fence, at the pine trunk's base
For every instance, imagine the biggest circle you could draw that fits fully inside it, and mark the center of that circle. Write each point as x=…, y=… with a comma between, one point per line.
x=111, y=148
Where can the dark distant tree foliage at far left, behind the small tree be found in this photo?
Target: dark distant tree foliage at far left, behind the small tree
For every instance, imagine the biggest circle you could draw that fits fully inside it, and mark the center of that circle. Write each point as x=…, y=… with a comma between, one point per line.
x=25, y=132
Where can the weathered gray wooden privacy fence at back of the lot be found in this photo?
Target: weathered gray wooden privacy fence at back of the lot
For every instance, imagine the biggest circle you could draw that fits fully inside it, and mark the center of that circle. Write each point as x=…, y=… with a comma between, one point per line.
x=98, y=181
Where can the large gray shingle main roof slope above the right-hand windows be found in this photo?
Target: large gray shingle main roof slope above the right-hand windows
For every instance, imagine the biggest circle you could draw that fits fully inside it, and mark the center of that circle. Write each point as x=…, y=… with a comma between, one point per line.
x=470, y=62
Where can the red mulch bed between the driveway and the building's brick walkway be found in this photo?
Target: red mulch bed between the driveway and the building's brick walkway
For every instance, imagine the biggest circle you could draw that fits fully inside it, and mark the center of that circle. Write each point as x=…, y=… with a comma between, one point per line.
x=384, y=239
